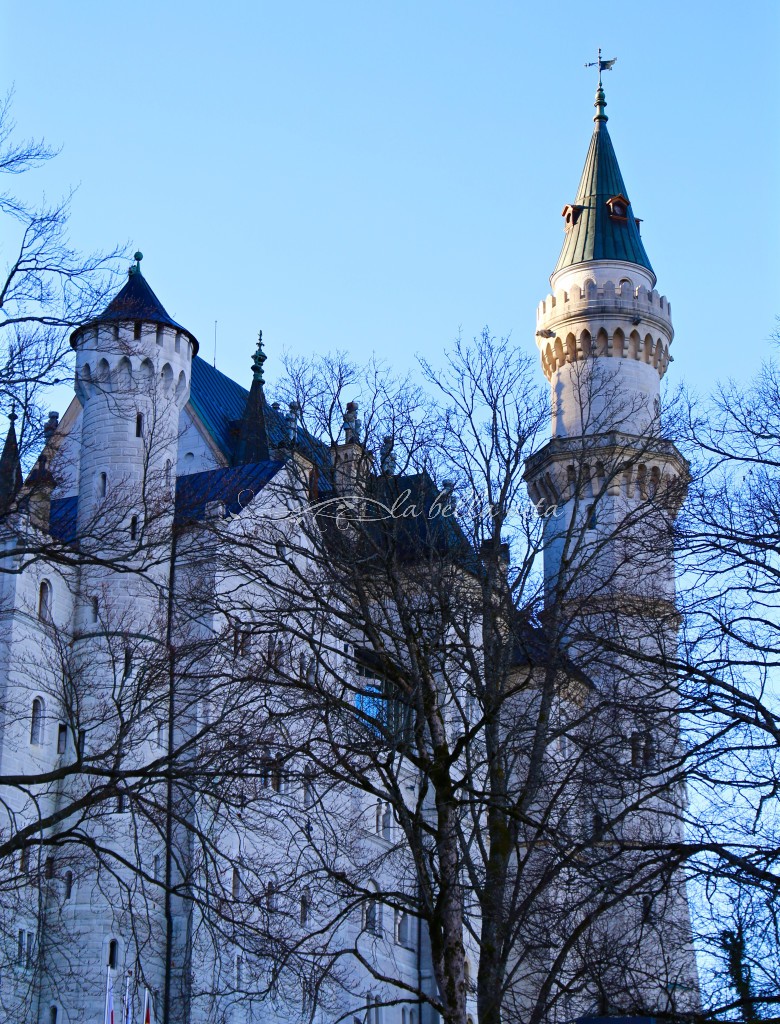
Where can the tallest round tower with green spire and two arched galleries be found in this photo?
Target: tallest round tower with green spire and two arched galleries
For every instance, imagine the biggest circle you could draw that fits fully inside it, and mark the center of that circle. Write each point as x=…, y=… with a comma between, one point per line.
x=610, y=485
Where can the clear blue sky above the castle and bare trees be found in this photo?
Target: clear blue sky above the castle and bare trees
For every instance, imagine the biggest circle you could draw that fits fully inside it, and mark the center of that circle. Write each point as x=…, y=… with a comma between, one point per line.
x=375, y=176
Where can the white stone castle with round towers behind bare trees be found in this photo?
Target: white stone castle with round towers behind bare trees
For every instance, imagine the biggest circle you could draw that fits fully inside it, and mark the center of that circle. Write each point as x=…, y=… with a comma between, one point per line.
x=111, y=645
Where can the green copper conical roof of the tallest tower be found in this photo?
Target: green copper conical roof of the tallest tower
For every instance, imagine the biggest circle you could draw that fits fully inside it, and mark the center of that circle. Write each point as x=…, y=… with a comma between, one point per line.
x=601, y=224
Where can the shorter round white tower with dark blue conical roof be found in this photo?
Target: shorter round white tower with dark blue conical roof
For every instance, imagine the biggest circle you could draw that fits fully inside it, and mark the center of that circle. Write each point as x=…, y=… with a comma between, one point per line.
x=134, y=368
